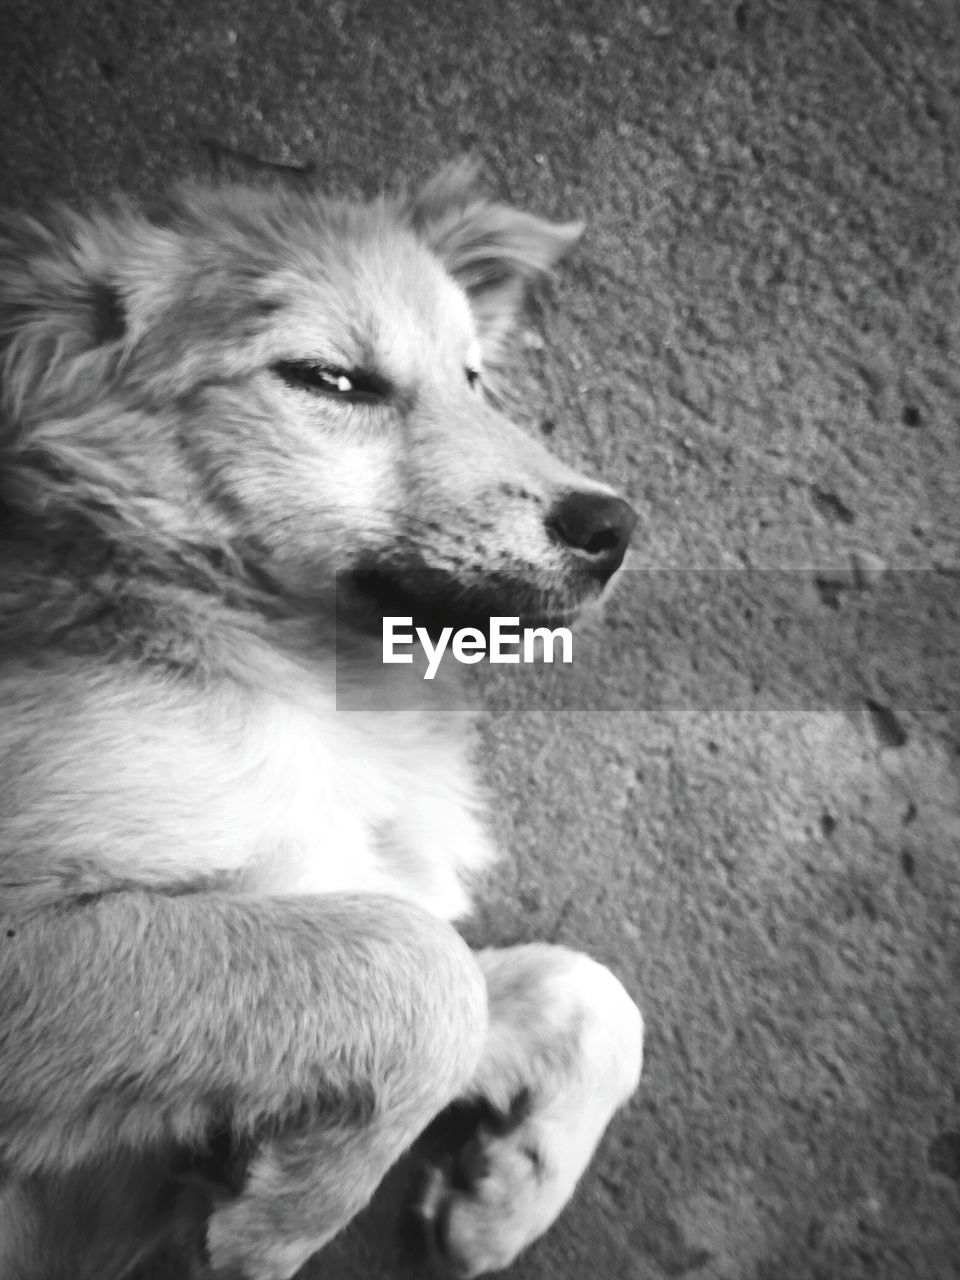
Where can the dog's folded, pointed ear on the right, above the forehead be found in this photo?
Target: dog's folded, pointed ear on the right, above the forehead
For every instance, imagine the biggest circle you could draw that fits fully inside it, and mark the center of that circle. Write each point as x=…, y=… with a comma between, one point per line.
x=492, y=250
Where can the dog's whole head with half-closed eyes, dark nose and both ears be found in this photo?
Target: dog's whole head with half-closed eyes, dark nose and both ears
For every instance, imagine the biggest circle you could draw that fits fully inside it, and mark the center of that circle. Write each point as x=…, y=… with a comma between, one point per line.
x=307, y=382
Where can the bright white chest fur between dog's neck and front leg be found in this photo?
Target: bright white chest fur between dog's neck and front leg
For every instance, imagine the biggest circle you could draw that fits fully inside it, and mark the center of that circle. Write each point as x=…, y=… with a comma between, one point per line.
x=272, y=790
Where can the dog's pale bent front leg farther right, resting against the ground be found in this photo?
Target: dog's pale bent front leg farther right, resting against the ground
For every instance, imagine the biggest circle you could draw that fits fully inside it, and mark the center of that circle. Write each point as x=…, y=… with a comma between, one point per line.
x=564, y=1052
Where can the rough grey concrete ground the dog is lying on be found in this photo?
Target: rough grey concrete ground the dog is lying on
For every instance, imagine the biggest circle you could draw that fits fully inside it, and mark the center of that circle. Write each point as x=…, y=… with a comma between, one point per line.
x=746, y=797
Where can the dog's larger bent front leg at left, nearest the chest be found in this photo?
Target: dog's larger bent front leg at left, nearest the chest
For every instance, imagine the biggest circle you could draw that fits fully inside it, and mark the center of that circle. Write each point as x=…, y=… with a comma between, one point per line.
x=321, y=1034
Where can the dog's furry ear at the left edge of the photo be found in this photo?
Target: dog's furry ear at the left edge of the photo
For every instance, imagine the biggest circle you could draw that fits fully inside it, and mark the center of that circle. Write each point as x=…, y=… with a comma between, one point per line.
x=61, y=313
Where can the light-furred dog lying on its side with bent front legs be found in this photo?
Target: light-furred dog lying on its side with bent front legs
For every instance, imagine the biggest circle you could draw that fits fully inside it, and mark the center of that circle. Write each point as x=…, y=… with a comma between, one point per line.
x=240, y=427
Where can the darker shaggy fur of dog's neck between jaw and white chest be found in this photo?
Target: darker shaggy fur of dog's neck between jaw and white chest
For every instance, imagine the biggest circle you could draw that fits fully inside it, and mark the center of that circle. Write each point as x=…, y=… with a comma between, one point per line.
x=71, y=588
